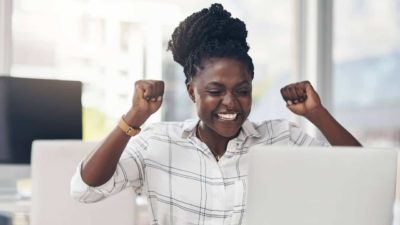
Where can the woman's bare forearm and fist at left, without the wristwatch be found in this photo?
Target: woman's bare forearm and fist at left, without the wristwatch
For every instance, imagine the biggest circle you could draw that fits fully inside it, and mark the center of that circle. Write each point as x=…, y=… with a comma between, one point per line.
x=100, y=166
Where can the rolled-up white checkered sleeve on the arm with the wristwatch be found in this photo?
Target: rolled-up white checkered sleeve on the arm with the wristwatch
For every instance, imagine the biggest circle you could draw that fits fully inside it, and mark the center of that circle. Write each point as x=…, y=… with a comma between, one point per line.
x=129, y=173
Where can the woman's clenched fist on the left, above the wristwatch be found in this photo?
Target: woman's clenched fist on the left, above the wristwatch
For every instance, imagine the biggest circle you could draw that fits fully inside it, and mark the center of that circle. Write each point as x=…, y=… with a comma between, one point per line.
x=147, y=97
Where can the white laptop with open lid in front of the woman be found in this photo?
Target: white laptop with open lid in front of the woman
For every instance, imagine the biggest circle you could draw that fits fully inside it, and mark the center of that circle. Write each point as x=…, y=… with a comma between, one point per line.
x=321, y=186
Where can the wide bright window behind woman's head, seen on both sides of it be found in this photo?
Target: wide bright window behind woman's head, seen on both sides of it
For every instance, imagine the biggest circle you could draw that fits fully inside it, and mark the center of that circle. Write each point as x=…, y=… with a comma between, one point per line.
x=109, y=44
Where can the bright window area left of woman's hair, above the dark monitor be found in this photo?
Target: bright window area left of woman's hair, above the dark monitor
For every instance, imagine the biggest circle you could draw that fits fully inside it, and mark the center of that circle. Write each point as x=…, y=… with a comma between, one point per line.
x=106, y=45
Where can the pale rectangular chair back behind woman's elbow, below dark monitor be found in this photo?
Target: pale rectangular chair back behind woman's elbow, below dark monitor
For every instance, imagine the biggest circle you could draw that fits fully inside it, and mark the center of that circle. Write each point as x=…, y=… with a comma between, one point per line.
x=53, y=164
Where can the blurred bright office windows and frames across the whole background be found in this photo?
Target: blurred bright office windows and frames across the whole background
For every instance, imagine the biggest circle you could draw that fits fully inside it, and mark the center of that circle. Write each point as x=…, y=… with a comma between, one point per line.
x=349, y=49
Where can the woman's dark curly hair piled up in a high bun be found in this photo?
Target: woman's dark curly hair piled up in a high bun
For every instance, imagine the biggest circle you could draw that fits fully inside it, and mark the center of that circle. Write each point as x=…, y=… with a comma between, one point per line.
x=209, y=33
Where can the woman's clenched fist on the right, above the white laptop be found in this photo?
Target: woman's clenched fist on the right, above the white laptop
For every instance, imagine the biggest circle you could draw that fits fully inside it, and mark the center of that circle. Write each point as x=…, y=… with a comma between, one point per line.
x=301, y=98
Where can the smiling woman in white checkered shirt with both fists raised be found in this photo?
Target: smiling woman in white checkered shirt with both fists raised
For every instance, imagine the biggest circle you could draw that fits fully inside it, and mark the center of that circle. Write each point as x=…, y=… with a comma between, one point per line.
x=193, y=172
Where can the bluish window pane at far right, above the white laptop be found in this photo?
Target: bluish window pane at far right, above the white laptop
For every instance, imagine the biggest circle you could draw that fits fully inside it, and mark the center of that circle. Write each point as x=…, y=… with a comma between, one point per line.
x=367, y=69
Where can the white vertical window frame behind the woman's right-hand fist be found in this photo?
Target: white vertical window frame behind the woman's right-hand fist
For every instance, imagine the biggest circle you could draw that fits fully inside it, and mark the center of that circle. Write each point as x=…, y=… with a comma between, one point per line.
x=313, y=56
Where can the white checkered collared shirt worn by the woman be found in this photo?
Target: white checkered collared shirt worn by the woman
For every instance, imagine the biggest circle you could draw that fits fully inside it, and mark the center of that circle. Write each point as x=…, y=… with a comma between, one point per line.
x=180, y=176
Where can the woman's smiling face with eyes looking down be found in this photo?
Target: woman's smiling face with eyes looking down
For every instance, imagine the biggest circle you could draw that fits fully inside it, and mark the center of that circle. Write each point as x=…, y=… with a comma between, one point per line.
x=221, y=92
